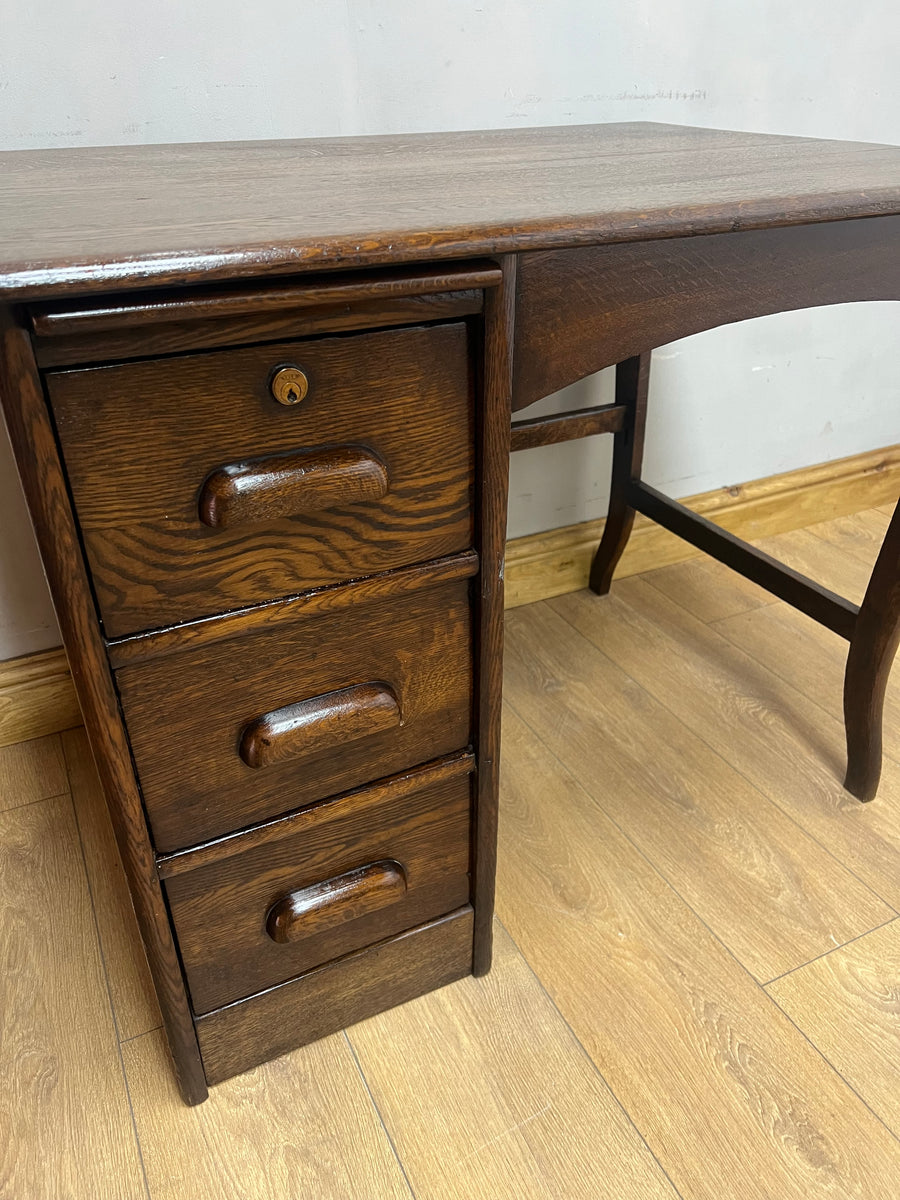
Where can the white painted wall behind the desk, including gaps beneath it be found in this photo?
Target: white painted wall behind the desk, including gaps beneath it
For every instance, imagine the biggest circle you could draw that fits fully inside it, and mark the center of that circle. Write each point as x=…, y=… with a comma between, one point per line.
x=728, y=406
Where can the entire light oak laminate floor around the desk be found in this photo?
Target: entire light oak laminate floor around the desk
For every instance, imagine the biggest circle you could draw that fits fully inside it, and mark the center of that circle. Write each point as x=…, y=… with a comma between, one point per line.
x=697, y=989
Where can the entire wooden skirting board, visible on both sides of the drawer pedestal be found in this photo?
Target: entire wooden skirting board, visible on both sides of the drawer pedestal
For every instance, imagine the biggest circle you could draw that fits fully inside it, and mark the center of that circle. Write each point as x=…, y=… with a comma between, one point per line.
x=37, y=694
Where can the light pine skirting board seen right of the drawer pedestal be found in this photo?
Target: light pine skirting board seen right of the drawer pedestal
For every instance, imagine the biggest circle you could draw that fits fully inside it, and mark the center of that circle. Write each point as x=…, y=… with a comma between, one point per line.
x=550, y=565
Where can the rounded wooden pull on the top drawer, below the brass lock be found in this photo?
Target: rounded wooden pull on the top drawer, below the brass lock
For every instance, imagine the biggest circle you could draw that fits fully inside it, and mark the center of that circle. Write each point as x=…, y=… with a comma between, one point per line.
x=286, y=485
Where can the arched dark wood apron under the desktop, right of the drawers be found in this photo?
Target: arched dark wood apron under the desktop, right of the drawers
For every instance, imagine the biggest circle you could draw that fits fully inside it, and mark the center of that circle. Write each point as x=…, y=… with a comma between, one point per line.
x=583, y=310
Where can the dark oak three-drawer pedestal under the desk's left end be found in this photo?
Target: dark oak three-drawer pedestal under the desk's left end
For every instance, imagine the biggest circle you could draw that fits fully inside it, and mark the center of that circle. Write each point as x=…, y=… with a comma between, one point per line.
x=257, y=509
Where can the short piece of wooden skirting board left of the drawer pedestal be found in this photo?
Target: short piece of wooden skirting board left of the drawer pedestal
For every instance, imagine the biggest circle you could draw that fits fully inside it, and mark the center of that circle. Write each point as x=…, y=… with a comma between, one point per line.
x=37, y=698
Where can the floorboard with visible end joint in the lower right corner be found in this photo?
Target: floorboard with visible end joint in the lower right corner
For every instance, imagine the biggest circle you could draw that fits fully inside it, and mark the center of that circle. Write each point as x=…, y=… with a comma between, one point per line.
x=849, y=1005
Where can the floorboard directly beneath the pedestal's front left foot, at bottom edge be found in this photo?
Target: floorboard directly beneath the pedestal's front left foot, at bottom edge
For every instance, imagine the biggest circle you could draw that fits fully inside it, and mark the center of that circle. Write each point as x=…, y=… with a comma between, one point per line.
x=301, y=1127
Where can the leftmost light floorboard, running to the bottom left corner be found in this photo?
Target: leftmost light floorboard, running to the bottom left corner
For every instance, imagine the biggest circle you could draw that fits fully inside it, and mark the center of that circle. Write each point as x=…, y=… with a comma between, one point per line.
x=67, y=1131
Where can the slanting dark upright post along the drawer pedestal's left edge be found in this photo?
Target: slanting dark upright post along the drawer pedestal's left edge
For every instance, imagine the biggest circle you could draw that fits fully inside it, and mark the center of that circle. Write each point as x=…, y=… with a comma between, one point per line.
x=46, y=490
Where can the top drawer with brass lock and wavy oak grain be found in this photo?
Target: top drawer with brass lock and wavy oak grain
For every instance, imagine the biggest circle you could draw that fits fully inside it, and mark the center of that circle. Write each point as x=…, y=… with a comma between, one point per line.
x=197, y=491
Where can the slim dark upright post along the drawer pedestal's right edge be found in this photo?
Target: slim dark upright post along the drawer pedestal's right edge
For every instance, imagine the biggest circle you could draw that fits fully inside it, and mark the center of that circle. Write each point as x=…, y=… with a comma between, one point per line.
x=494, y=487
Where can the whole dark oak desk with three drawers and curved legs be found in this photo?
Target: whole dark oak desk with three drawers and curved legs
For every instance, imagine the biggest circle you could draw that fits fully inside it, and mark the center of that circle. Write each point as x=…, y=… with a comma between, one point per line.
x=261, y=398
